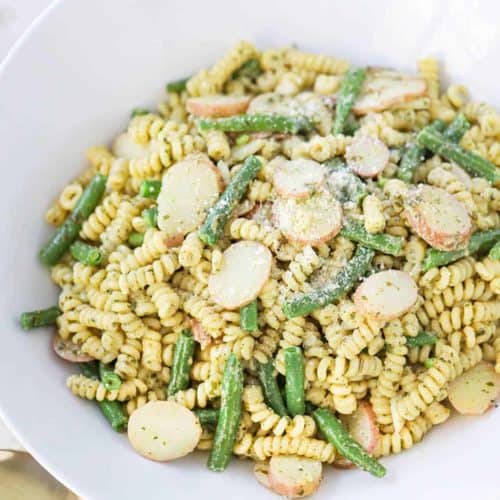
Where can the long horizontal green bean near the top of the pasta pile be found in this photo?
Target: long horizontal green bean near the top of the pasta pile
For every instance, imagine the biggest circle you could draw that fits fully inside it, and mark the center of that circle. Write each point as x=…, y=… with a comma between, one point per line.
x=258, y=123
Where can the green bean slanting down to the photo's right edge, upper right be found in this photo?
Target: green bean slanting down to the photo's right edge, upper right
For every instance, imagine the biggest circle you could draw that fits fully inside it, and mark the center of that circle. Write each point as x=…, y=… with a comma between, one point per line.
x=471, y=162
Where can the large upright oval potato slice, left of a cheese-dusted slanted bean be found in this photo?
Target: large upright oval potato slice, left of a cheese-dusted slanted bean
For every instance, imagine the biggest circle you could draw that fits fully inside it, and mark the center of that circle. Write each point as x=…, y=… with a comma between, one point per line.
x=189, y=189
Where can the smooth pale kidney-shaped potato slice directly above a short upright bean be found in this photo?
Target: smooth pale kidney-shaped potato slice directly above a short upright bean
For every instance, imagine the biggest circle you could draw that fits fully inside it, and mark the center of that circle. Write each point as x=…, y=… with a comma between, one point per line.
x=245, y=269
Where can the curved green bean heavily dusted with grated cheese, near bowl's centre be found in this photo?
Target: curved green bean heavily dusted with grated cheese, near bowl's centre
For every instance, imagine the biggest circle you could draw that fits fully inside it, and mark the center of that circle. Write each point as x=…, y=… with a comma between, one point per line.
x=342, y=283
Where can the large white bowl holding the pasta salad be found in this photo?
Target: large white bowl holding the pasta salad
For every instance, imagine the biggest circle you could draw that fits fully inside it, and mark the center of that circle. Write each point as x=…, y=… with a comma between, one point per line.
x=71, y=83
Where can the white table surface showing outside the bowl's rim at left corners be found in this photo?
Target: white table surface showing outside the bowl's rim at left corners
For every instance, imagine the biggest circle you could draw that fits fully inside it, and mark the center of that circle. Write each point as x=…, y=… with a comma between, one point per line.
x=15, y=17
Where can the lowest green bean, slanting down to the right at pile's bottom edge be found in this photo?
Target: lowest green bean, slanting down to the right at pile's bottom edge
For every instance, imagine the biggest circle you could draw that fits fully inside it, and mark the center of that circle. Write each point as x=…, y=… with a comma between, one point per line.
x=336, y=434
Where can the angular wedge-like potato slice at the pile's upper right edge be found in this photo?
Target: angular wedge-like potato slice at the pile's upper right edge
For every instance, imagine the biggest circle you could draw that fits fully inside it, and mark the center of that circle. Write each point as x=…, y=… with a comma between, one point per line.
x=383, y=89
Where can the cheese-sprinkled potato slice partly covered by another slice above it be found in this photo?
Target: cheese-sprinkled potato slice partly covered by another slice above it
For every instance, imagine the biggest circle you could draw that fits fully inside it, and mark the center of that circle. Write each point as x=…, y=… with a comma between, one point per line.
x=310, y=222
